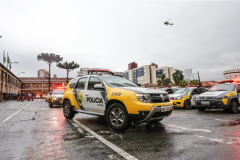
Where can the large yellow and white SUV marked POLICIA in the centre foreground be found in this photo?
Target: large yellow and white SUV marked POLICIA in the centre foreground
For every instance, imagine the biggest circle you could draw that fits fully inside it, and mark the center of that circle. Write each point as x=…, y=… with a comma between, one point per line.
x=120, y=101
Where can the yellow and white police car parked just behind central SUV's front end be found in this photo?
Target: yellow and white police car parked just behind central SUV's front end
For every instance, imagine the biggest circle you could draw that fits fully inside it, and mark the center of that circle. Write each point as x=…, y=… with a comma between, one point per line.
x=186, y=97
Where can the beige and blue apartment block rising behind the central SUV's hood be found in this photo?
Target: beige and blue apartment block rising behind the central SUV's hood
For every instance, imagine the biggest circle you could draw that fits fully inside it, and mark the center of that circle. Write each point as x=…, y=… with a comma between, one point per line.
x=147, y=74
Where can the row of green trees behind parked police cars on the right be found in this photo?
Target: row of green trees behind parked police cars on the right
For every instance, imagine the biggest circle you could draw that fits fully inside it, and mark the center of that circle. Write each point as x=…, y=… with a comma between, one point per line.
x=178, y=78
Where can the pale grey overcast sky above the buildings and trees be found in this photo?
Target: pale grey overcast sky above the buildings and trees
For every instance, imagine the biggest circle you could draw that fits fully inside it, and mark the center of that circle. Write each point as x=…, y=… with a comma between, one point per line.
x=205, y=35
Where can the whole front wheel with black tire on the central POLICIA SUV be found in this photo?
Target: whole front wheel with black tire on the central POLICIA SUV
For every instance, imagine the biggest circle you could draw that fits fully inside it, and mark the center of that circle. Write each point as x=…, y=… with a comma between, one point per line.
x=117, y=117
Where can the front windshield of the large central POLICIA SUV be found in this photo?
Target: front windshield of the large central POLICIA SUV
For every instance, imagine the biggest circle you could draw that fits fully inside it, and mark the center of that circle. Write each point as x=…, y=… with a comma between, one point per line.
x=117, y=82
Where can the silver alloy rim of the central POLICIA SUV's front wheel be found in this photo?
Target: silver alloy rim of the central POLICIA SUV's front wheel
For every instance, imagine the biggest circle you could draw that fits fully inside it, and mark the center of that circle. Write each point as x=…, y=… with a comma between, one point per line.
x=117, y=117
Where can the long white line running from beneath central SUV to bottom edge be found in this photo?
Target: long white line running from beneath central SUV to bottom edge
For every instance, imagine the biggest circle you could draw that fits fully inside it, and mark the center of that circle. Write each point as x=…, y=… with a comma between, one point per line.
x=106, y=142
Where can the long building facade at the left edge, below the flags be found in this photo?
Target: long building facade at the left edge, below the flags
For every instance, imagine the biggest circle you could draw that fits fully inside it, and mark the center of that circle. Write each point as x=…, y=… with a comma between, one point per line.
x=9, y=83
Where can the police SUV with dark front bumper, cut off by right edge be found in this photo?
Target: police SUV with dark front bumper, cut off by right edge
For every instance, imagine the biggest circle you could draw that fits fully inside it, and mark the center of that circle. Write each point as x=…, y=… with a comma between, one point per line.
x=225, y=95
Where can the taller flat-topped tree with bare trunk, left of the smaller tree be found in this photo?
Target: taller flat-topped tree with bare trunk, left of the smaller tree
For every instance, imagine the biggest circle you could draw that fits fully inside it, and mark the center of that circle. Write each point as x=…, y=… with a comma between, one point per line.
x=49, y=58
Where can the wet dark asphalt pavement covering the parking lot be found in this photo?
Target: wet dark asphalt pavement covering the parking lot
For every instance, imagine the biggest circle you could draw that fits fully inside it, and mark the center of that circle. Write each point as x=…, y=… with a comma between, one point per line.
x=40, y=132
